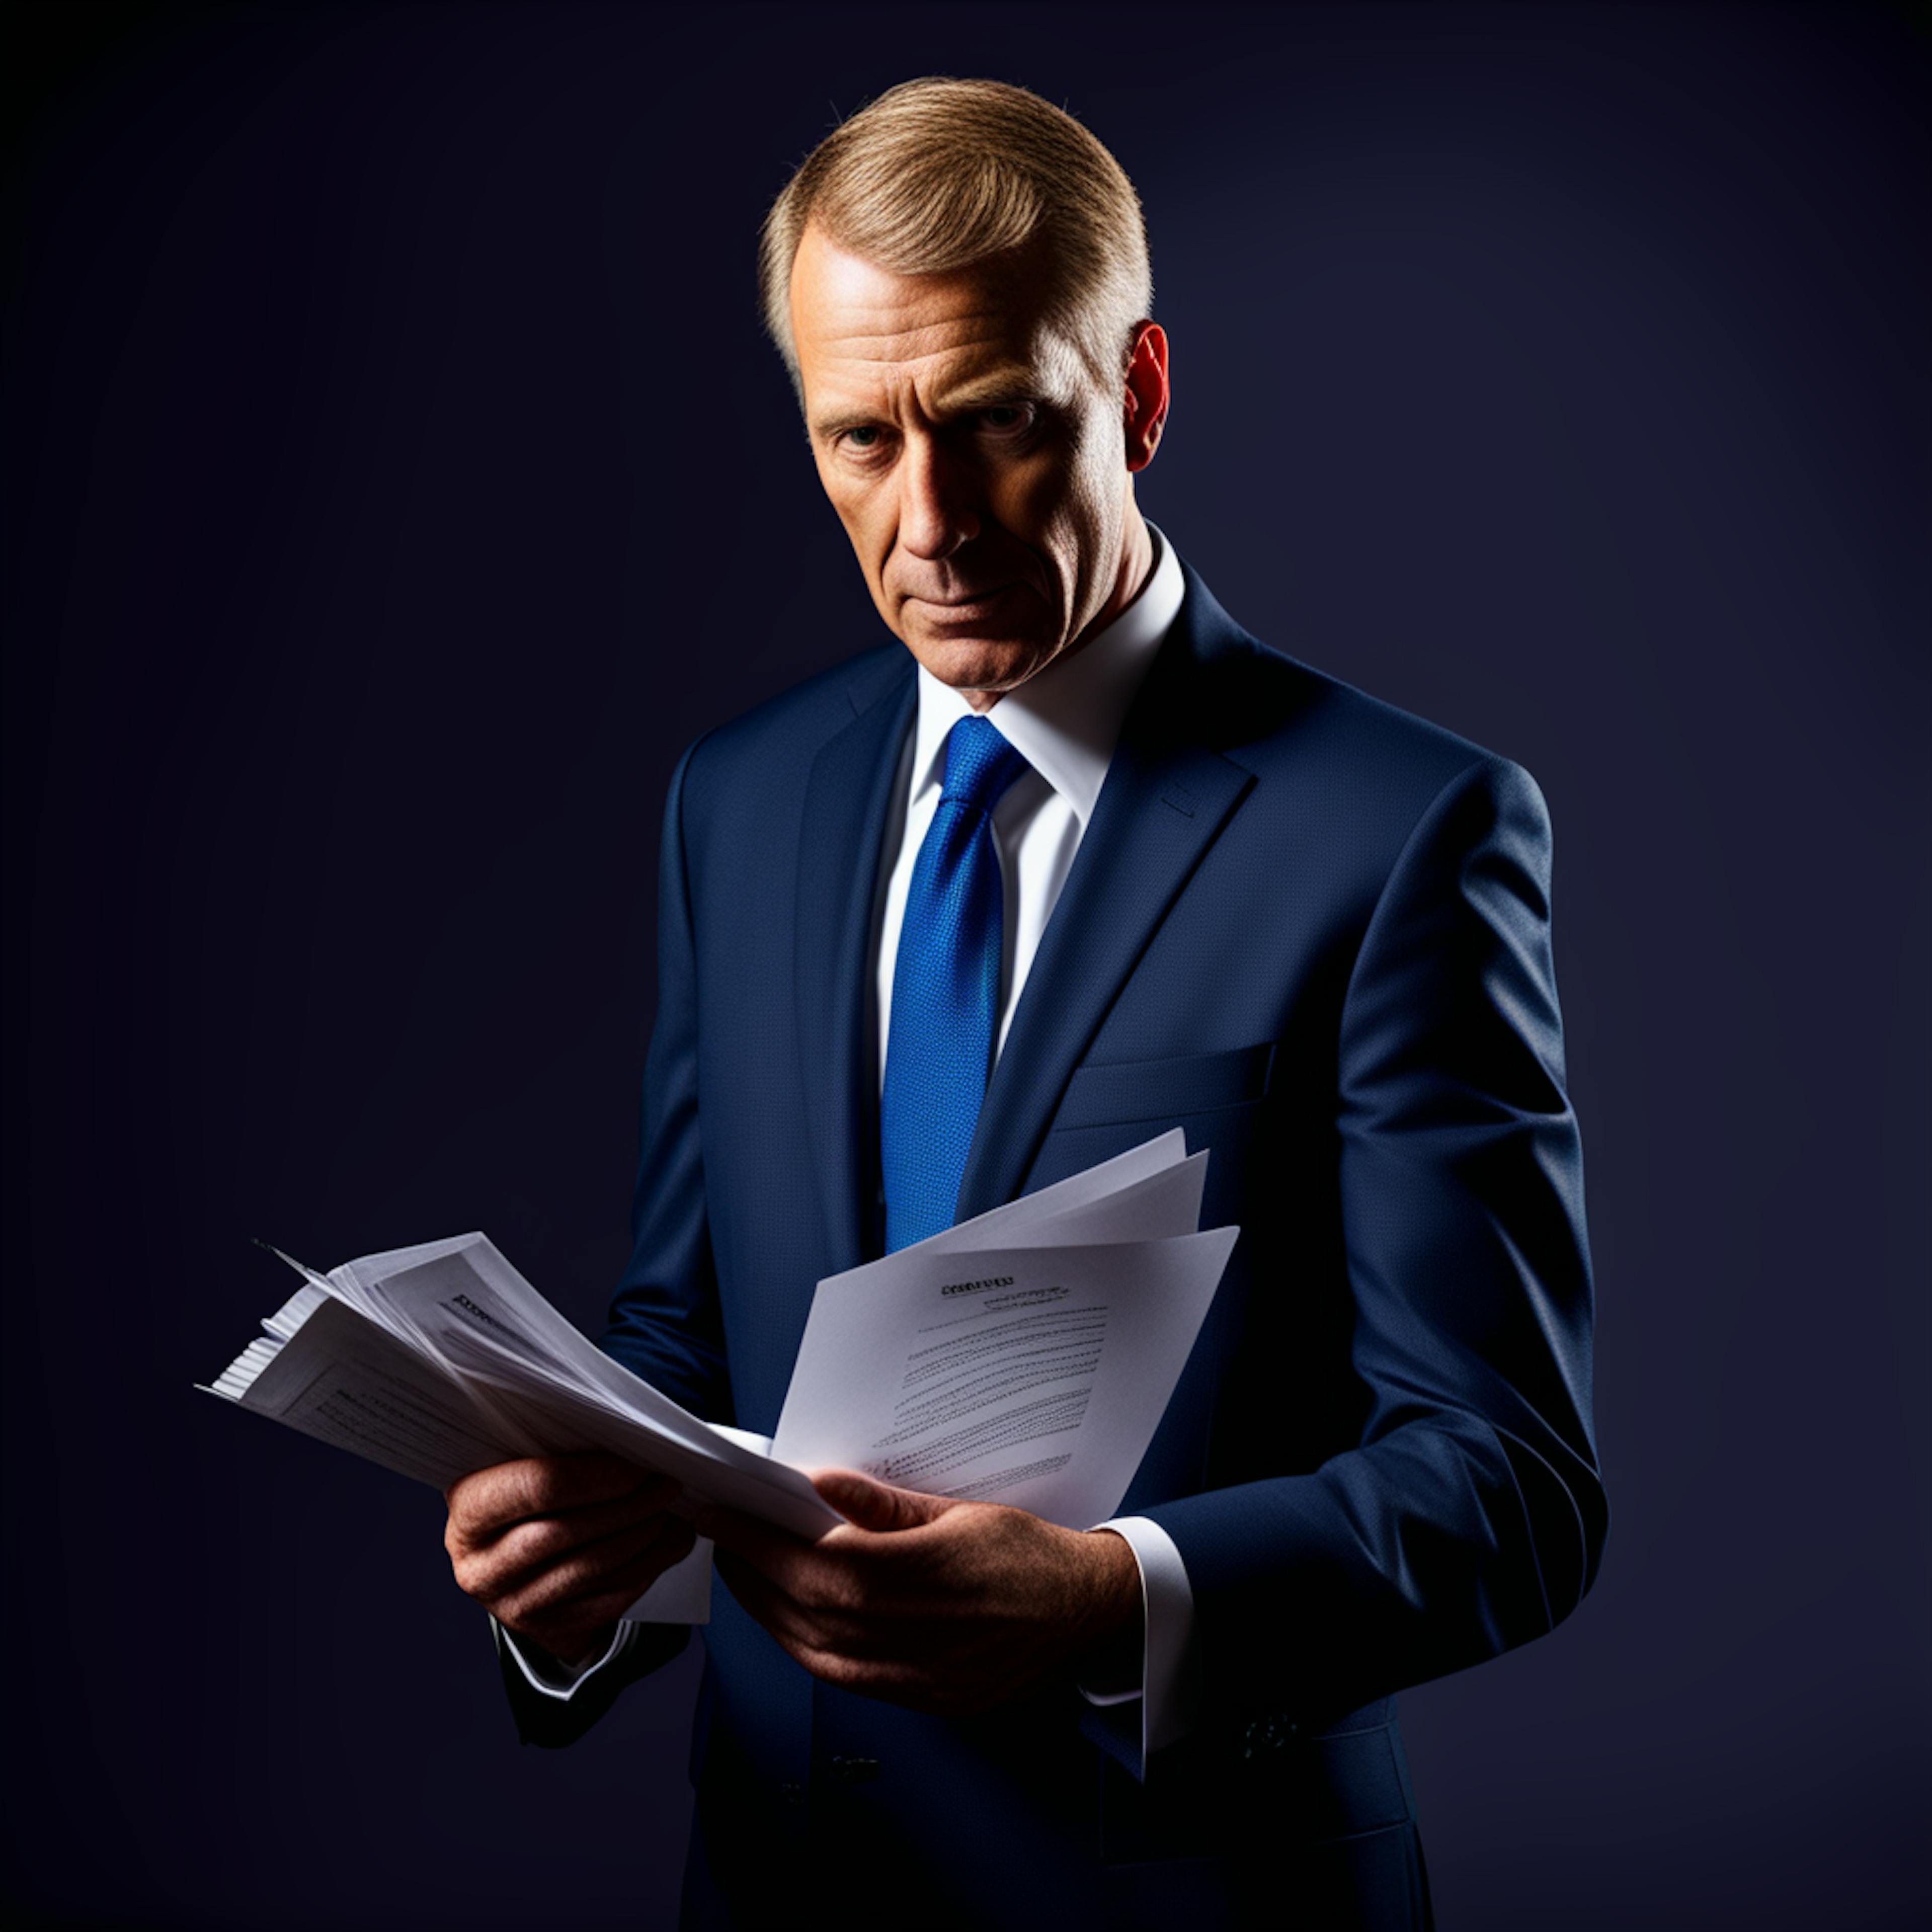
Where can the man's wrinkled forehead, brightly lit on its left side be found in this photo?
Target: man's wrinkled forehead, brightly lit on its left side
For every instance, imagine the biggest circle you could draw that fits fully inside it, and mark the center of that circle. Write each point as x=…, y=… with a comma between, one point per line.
x=868, y=337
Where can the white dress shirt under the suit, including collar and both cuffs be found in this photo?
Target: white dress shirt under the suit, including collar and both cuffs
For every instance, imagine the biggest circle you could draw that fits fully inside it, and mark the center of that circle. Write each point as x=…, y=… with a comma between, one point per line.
x=1065, y=722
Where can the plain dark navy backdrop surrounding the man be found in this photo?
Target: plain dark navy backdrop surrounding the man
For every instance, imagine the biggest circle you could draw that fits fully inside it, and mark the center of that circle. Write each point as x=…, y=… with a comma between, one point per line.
x=397, y=480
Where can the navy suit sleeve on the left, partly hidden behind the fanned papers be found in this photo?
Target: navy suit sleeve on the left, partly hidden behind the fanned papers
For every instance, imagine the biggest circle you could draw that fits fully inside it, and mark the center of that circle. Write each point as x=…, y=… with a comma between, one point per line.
x=664, y=1319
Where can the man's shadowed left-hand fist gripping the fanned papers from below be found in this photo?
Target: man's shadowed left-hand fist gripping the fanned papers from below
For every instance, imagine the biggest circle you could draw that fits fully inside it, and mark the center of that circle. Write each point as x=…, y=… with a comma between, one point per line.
x=557, y=1548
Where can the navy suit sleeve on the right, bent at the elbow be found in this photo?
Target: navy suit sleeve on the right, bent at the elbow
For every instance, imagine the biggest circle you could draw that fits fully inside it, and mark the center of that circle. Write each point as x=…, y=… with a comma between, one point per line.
x=1469, y=1518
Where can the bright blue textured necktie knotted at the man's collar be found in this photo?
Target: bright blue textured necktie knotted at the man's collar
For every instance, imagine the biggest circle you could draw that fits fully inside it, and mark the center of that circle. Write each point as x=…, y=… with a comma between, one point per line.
x=946, y=992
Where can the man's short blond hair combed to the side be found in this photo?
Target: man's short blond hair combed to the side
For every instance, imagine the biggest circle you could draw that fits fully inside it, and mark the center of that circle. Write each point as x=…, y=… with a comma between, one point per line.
x=942, y=175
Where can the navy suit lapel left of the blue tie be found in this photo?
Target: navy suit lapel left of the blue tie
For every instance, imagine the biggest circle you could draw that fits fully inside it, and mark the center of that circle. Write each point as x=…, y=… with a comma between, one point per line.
x=841, y=834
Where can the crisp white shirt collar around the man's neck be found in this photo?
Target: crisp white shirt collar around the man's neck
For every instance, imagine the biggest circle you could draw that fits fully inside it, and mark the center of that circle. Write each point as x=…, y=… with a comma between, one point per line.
x=1067, y=720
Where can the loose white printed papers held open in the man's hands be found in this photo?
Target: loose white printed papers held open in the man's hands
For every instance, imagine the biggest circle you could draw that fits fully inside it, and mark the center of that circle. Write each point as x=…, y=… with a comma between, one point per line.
x=1025, y=1357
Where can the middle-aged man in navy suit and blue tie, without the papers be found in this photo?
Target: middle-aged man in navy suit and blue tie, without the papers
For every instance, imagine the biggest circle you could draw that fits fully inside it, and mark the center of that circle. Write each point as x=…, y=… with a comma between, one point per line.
x=1073, y=863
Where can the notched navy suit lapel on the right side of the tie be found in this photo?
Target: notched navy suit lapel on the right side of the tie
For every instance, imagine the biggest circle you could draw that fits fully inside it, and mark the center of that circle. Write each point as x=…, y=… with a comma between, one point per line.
x=1166, y=799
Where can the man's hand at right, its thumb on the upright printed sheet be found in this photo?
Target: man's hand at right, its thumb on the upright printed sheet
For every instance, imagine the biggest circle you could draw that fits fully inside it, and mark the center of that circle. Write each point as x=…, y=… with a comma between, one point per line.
x=942, y=1606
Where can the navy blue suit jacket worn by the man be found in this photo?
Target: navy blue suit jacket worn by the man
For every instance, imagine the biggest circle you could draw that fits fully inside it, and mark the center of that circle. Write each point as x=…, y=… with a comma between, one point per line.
x=1315, y=932
